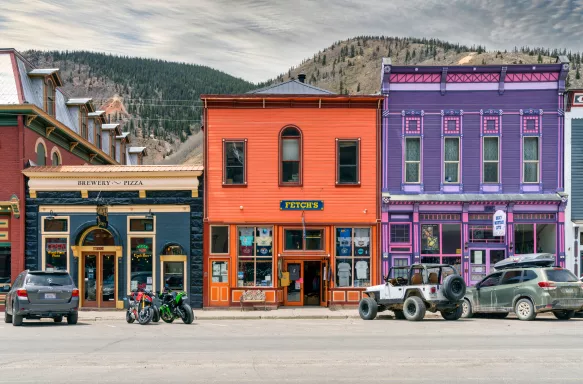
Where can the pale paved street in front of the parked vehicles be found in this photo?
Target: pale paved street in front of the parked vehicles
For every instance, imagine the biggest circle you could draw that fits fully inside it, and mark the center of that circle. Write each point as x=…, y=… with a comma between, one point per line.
x=294, y=351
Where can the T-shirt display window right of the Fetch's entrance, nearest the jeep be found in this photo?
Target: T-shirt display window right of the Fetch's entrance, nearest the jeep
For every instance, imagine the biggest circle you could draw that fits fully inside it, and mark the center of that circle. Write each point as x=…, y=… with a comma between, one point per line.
x=353, y=257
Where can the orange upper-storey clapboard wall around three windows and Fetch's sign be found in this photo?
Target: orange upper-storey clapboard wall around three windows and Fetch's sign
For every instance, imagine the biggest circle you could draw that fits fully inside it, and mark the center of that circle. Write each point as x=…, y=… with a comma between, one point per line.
x=260, y=198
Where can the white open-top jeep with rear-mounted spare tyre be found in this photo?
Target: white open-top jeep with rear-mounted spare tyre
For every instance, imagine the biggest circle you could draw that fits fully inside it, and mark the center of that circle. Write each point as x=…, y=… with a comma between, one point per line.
x=412, y=290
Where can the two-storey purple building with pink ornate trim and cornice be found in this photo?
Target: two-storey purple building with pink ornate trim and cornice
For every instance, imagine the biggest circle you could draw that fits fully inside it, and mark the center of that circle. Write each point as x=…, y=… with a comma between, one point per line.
x=462, y=144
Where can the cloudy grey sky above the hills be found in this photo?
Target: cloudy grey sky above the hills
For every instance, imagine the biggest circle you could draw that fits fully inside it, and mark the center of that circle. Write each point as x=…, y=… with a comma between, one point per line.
x=259, y=39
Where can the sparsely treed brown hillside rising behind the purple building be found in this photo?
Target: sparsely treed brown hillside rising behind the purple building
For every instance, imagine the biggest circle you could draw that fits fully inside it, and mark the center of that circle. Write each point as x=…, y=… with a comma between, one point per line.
x=353, y=66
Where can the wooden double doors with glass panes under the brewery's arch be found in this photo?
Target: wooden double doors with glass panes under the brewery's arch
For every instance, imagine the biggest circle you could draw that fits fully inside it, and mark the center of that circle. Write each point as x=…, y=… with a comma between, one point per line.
x=99, y=280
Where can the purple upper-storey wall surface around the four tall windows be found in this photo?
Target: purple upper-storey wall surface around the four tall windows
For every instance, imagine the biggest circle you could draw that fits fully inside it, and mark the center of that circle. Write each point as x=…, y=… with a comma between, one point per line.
x=471, y=102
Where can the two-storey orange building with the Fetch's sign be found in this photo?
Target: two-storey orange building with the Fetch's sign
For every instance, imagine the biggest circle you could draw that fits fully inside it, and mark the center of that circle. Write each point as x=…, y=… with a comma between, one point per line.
x=291, y=196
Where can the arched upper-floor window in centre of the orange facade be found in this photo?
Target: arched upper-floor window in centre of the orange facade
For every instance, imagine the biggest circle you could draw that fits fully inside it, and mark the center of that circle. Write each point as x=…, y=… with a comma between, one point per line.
x=291, y=156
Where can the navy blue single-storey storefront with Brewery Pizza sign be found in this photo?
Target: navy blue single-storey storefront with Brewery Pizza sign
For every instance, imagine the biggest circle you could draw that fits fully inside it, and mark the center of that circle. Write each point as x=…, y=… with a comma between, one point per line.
x=115, y=231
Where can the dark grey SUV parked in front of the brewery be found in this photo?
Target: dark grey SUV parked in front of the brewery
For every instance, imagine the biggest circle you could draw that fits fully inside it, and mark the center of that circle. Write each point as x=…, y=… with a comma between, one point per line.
x=39, y=294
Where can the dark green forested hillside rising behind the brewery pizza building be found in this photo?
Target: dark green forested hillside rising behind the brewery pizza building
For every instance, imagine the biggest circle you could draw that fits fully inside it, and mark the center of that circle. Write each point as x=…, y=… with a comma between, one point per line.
x=158, y=102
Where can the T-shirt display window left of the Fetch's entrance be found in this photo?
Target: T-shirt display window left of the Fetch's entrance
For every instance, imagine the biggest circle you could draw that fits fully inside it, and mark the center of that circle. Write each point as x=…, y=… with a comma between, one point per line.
x=255, y=264
